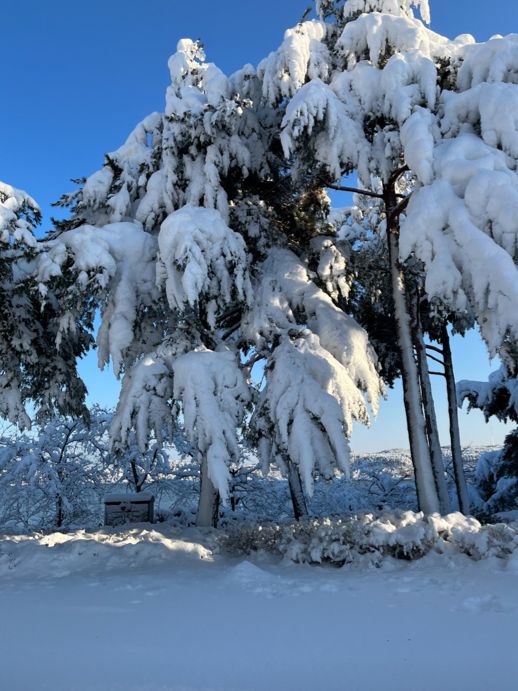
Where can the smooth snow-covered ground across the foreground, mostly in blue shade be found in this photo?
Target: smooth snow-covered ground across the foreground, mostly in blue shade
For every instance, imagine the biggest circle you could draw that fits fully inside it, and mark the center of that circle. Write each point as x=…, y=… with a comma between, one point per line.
x=152, y=610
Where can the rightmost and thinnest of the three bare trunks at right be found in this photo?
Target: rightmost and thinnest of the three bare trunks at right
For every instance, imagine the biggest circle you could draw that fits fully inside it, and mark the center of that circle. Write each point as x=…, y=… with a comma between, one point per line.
x=456, y=450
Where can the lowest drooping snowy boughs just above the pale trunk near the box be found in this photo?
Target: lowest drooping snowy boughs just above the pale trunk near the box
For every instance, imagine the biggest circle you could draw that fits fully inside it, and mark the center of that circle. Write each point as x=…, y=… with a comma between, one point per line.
x=202, y=391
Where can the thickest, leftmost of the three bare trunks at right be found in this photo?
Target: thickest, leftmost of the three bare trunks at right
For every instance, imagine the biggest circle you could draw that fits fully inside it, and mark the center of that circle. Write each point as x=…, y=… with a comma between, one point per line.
x=427, y=497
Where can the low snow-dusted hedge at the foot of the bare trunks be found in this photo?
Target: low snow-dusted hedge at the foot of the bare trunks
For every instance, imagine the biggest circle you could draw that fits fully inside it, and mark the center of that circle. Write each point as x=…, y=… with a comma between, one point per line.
x=369, y=538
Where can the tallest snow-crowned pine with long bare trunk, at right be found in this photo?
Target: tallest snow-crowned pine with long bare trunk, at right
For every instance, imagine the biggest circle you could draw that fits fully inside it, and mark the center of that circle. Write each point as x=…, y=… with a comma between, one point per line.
x=372, y=90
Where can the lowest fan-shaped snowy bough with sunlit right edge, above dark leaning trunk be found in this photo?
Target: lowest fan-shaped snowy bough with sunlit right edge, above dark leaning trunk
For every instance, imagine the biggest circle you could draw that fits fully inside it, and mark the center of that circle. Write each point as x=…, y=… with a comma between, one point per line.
x=305, y=412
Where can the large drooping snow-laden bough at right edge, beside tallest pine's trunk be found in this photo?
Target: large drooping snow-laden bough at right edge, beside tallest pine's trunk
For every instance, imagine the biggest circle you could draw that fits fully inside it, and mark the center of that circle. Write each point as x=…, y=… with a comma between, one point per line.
x=462, y=226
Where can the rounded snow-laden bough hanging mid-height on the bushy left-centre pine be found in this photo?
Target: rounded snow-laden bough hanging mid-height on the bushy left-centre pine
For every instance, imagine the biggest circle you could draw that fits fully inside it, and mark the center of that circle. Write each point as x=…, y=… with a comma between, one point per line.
x=201, y=256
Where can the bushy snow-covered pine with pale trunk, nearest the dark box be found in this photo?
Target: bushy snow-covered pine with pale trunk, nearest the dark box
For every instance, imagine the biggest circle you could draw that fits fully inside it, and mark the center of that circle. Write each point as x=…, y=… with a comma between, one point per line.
x=162, y=264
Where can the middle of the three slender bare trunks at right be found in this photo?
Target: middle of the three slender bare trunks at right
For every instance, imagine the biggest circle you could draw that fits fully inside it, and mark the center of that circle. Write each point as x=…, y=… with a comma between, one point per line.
x=431, y=421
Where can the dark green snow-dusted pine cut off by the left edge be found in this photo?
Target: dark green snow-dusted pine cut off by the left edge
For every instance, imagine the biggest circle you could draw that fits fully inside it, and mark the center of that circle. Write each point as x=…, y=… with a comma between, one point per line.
x=37, y=361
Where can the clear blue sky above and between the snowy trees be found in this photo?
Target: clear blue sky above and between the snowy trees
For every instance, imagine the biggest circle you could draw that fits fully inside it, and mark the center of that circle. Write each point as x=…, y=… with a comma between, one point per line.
x=77, y=77
